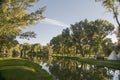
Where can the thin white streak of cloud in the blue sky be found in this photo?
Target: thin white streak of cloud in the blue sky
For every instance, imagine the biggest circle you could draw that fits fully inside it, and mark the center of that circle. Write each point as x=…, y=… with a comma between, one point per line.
x=55, y=22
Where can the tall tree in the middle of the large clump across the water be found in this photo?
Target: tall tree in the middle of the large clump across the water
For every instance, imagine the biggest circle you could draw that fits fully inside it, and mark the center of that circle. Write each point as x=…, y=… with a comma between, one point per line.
x=79, y=36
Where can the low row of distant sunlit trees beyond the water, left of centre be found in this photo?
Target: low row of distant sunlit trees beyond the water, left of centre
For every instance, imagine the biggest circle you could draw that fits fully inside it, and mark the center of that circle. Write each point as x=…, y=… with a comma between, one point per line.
x=27, y=50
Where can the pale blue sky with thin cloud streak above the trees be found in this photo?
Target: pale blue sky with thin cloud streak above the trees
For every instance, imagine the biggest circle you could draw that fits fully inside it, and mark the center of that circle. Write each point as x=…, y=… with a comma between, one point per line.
x=61, y=14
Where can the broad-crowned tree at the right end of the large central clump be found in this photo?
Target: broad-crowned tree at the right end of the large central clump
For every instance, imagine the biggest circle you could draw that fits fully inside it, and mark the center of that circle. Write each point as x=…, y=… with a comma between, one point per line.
x=101, y=29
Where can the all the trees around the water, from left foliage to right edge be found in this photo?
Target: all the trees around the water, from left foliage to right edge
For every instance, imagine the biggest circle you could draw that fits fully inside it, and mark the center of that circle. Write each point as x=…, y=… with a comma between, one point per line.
x=84, y=38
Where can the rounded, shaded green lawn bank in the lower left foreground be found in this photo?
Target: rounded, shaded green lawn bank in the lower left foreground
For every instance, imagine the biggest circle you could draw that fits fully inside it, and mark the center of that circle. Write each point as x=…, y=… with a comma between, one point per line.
x=21, y=69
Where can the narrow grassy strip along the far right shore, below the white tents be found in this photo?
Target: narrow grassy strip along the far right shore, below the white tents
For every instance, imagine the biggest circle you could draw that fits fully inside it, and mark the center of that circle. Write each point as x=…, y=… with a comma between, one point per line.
x=103, y=63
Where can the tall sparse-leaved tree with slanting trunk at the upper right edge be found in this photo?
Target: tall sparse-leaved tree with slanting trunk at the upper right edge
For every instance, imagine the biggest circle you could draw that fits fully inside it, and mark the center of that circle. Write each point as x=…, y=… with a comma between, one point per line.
x=113, y=6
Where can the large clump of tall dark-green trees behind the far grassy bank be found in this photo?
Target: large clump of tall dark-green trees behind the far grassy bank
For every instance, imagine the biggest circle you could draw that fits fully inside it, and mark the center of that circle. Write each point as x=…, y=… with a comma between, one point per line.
x=84, y=38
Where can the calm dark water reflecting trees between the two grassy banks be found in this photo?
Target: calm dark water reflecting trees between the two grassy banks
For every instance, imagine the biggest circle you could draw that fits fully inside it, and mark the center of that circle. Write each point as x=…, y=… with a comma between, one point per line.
x=66, y=69
